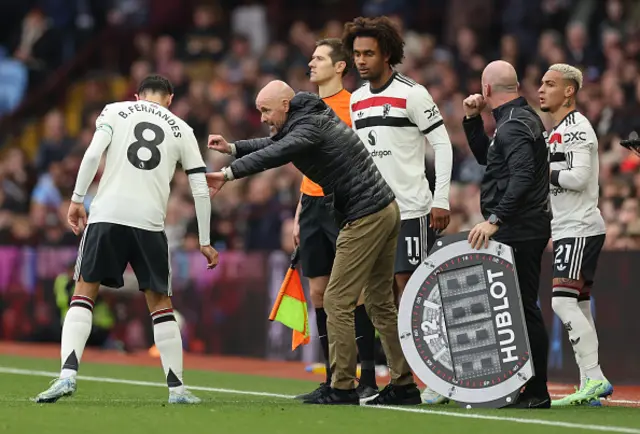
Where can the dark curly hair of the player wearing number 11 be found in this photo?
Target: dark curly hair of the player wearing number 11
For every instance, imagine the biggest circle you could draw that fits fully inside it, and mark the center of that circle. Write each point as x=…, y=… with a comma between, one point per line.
x=383, y=30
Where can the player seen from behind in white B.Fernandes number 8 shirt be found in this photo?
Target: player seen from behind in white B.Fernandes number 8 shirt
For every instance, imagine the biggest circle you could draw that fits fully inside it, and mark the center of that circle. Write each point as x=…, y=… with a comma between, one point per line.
x=143, y=141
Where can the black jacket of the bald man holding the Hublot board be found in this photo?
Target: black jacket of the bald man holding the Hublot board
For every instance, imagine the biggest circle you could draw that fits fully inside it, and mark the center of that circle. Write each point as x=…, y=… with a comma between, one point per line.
x=515, y=185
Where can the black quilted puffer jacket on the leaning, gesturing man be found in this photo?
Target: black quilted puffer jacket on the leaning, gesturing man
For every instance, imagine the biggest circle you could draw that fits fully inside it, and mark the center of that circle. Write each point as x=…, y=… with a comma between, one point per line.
x=327, y=151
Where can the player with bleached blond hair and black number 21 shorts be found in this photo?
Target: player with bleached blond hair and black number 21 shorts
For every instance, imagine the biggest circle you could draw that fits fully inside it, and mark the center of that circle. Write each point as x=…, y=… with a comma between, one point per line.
x=577, y=228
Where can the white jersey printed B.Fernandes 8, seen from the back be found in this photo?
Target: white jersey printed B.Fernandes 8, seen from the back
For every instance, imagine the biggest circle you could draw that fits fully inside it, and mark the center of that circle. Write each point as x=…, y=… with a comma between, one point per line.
x=147, y=141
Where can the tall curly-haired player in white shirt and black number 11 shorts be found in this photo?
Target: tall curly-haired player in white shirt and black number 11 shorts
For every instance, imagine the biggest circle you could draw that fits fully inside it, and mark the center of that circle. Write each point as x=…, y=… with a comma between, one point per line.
x=393, y=115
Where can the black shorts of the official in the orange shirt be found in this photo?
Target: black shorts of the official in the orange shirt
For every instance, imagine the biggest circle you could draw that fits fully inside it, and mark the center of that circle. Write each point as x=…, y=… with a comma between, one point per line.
x=318, y=236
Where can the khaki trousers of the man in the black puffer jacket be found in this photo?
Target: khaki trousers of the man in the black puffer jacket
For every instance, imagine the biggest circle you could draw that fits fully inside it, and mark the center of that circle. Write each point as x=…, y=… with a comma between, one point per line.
x=364, y=262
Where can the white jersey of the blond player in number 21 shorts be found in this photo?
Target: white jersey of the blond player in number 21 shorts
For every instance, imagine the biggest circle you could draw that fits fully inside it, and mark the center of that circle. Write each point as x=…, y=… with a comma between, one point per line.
x=573, y=149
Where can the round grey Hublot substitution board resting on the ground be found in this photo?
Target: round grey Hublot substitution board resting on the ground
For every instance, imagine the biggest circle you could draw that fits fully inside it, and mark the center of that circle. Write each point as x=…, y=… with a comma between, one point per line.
x=461, y=324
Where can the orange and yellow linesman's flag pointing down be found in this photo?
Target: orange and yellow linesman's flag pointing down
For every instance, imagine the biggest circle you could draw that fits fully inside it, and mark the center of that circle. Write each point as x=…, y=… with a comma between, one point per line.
x=290, y=307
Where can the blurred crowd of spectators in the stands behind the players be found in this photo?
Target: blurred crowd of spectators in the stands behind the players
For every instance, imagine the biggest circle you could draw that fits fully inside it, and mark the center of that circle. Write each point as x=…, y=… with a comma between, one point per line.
x=218, y=65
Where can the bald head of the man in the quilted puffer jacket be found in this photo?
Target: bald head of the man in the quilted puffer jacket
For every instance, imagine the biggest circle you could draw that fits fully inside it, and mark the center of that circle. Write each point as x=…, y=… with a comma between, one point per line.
x=273, y=103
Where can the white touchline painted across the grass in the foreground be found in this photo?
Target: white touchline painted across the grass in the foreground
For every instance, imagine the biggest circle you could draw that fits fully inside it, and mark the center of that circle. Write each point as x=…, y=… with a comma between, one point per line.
x=617, y=429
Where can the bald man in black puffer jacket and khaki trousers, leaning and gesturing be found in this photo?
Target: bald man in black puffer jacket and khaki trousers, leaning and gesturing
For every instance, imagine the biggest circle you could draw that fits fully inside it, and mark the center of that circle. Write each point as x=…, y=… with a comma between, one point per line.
x=309, y=134
